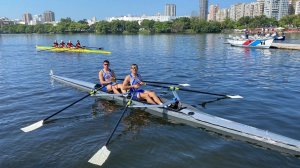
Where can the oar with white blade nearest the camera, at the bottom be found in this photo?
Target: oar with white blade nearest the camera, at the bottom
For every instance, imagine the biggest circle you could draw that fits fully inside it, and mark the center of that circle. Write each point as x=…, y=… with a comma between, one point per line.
x=101, y=155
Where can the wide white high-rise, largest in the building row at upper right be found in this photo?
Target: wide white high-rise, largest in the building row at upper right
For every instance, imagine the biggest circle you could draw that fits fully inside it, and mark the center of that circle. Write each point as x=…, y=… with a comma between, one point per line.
x=276, y=8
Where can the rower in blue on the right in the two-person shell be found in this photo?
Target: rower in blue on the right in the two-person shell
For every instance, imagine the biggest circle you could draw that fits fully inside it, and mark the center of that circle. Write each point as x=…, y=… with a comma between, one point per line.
x=133, y=82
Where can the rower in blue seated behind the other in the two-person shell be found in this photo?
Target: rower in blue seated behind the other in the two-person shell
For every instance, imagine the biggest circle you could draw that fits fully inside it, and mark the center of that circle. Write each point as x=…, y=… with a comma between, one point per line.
x=107, y=77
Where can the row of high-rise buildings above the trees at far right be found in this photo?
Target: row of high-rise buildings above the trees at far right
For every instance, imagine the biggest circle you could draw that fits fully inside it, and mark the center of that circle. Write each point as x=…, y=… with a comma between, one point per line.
x=271, y=8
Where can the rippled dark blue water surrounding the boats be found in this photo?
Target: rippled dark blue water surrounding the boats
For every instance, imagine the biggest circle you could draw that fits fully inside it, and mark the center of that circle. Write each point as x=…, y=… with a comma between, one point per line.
x=267, y=79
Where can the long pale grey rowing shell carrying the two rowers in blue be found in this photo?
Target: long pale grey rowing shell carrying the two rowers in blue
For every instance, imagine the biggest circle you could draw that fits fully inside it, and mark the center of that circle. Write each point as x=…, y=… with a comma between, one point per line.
x=194, y=117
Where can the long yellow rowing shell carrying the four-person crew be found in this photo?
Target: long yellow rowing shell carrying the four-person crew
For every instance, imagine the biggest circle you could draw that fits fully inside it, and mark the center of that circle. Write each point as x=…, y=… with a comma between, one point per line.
x=79, y=50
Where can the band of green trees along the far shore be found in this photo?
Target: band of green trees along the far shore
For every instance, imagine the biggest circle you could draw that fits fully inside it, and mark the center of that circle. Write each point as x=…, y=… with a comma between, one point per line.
x=179, y=25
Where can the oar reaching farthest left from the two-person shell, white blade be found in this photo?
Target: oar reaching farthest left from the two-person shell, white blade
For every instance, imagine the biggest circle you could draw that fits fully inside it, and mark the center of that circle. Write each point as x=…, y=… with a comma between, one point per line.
x=41, y=122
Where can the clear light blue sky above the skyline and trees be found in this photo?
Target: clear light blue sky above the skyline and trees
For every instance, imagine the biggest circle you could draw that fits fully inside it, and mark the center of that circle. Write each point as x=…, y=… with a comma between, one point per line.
x=85, y=9
